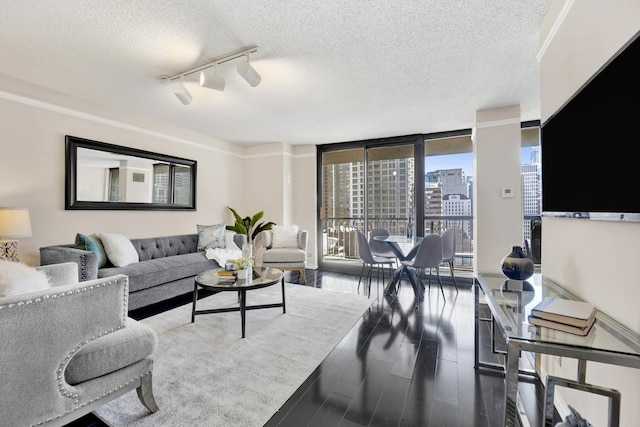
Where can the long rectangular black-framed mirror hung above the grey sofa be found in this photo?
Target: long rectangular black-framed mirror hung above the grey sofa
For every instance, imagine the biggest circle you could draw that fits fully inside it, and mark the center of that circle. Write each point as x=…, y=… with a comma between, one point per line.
x=101, y=176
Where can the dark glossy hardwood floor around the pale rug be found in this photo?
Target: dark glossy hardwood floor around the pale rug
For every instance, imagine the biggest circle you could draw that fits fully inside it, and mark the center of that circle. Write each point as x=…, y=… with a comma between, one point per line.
x=403, y=364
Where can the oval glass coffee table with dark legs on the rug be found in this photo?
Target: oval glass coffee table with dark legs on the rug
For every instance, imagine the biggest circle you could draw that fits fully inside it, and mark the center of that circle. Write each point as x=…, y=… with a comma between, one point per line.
x=261, y=277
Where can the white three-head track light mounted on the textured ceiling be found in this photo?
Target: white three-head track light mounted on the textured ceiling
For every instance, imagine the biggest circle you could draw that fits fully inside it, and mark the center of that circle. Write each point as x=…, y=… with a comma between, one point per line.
x=209, y=77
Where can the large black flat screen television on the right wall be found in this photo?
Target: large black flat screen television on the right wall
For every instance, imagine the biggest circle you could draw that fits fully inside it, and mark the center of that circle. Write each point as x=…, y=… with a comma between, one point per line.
x=591, y=146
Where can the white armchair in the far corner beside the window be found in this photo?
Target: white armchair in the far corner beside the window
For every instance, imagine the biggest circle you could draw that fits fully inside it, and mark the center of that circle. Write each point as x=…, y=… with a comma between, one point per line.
x=292, y=258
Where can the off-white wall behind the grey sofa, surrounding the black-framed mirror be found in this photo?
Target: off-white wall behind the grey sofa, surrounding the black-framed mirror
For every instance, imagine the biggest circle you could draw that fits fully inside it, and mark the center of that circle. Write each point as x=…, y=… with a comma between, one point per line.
x=32, y=145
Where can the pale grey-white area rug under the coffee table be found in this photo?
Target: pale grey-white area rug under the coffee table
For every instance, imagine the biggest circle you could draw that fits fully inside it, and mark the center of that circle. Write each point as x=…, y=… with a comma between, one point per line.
x=205, y=374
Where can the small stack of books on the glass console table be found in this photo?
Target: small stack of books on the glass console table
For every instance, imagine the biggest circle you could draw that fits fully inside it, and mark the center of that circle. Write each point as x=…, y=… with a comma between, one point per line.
x=575, y=317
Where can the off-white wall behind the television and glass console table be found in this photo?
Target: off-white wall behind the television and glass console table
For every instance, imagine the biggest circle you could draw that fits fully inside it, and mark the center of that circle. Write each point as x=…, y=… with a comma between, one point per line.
x=595, y=260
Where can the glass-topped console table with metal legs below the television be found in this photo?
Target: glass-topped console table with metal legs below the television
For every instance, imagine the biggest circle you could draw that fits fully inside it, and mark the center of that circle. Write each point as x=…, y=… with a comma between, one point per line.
x=510, y=303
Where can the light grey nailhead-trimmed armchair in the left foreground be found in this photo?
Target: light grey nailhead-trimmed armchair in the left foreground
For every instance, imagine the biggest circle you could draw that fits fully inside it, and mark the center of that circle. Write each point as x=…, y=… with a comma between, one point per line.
x=71, y=348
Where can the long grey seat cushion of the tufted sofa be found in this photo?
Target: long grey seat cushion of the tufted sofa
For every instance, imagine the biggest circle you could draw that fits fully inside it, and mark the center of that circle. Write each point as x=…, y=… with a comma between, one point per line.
x=158, y=271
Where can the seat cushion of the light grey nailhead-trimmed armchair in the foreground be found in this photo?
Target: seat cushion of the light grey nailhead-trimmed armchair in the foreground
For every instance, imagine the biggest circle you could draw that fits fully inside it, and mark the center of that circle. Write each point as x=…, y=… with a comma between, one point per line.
x=111, y=352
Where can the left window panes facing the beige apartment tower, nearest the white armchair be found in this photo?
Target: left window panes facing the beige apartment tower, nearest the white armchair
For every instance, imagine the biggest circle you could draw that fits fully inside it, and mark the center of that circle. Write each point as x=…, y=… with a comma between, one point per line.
x=364, y=185
